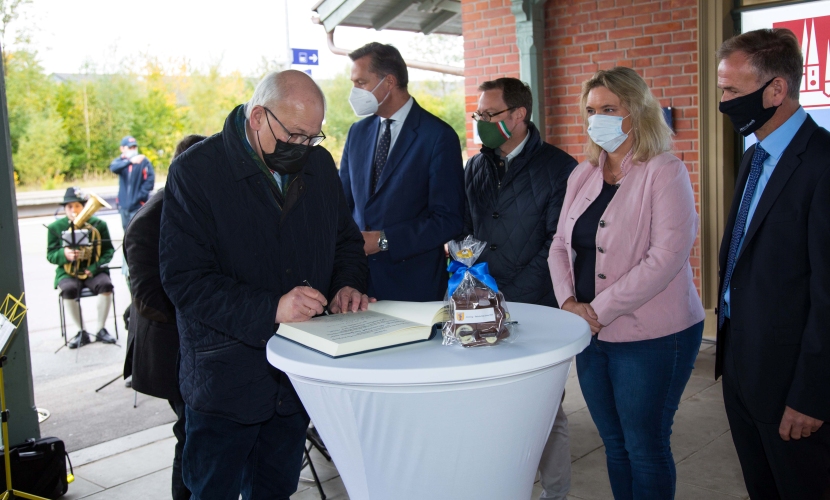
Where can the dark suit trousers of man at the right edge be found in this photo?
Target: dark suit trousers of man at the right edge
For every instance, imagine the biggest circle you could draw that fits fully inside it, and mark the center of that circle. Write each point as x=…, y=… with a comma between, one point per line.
x=774, y=469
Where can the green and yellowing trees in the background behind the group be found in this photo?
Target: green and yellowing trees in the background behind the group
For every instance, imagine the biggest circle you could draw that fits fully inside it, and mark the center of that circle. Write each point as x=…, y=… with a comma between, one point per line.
x=68, y=127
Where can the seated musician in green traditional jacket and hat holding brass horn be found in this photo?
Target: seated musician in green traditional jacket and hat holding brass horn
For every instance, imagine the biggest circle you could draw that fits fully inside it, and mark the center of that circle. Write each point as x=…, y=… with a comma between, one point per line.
x=81, y=248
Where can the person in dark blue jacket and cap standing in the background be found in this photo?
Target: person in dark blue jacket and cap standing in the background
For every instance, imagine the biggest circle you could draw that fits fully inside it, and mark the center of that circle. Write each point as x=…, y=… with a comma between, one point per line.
x=135, y=179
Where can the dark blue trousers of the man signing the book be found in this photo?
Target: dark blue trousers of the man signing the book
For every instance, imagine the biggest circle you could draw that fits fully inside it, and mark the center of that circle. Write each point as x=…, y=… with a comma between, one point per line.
x=223, y=458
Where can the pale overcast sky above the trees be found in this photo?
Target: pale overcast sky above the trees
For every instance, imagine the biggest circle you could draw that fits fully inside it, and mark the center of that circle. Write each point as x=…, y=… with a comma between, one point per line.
x=70, y=33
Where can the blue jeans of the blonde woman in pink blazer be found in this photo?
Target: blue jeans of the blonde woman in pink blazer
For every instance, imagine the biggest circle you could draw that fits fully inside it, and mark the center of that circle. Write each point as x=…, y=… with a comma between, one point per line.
x=633, y=390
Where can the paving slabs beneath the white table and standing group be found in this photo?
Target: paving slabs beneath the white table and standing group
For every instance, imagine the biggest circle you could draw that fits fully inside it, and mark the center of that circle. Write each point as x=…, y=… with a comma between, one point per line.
x=138, y=466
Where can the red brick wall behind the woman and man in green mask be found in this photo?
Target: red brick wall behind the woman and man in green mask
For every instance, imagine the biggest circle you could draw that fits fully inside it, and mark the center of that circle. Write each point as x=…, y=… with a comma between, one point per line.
x=658, y=38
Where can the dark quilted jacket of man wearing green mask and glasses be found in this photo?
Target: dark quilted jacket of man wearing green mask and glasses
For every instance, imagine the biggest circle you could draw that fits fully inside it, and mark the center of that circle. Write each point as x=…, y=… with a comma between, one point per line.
x=518, y=218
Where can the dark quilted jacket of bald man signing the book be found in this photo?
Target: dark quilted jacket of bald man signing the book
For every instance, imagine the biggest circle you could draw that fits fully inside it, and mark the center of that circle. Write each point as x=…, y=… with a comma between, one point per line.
x=227, y=255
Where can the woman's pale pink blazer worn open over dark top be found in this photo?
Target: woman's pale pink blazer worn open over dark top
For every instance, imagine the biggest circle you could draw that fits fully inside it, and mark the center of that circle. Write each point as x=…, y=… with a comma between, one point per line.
x=648, y=232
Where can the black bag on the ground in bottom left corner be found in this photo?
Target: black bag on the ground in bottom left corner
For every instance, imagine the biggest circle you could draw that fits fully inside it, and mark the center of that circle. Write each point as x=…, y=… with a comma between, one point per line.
x=38, y=467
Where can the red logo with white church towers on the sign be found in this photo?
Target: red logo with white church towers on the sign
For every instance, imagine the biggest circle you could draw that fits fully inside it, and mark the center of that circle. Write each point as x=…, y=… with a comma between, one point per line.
x=814, y=36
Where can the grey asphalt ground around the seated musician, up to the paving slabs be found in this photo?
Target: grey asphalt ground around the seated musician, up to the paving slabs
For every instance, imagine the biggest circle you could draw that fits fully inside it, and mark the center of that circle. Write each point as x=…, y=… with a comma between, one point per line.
x=65, y=381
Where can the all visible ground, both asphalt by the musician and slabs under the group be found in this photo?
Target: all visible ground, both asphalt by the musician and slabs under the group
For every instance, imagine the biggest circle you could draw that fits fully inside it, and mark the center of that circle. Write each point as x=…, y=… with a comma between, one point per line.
x=122, y=453
